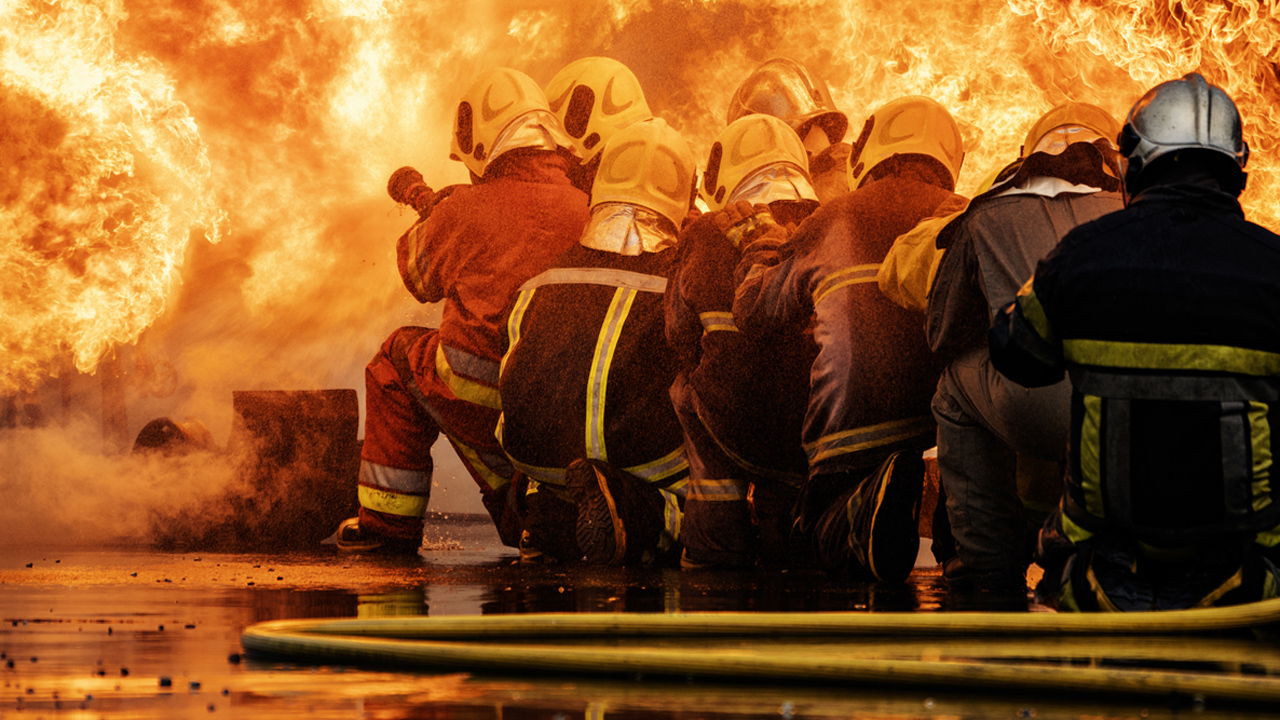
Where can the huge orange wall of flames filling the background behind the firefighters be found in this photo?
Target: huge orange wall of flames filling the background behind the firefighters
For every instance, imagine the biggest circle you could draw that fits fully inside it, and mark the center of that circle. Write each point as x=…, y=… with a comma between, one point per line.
x=305, y=108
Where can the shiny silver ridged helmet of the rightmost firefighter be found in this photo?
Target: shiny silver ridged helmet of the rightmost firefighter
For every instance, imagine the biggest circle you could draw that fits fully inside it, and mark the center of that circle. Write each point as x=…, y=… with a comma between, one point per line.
x=1181, y=115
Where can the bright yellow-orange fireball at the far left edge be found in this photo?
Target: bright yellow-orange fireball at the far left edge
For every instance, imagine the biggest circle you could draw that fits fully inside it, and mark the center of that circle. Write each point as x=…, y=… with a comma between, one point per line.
x=104, y=180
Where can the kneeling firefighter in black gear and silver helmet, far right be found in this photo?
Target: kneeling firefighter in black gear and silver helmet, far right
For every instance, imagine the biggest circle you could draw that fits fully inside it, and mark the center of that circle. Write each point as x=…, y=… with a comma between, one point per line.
x=1167, y=316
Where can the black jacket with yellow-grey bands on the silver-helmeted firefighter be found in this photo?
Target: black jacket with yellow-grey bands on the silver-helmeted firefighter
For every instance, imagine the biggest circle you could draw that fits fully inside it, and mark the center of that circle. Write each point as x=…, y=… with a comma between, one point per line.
x=1168, y=317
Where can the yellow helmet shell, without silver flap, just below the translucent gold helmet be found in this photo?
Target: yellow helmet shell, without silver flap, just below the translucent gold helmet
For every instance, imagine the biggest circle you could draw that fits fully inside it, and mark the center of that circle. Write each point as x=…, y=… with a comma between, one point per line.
x=748, y=145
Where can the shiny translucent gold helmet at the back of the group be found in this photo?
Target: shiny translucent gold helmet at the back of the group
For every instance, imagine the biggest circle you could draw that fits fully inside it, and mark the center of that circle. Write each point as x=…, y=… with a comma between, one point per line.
x=787, y=90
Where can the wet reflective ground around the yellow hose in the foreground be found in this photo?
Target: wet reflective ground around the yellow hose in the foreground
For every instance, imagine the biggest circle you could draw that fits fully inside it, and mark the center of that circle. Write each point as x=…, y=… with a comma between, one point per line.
x=135, y=634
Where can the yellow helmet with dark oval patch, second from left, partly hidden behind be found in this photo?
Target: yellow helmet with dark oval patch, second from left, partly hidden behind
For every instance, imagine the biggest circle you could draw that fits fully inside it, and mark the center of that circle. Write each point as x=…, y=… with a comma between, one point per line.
x=596, y=98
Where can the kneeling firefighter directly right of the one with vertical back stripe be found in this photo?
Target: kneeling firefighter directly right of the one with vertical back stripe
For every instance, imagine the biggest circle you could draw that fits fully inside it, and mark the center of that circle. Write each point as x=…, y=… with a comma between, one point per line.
x=740, y=402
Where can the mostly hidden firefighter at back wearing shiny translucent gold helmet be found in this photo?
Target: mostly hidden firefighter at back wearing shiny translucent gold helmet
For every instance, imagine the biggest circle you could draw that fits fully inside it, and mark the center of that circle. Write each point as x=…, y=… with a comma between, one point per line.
x=788, y=90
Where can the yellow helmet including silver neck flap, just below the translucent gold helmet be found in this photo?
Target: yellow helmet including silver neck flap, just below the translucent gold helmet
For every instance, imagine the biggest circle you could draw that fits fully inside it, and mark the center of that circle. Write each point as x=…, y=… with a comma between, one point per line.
x=760, y=160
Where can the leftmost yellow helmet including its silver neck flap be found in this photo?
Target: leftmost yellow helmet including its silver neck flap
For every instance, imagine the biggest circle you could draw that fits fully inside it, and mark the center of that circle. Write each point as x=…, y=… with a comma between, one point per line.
x=502, y=111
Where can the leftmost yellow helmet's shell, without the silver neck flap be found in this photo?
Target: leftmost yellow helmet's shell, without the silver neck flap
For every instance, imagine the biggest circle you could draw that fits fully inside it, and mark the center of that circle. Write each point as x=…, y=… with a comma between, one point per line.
x=493, y=103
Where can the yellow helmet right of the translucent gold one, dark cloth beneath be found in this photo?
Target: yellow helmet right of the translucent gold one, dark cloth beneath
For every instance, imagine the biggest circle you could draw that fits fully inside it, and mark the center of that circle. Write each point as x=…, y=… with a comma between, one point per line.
x=908, y=126
